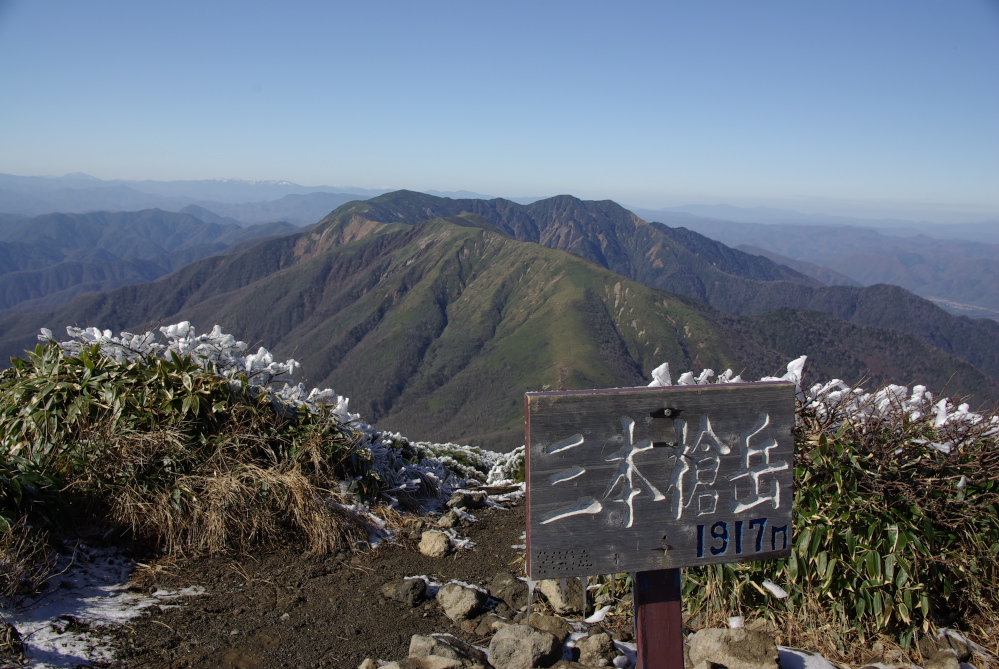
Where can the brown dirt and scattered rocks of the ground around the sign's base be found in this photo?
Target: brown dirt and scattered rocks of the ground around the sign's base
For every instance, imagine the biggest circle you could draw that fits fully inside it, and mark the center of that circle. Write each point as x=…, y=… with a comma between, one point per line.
x=421, y=601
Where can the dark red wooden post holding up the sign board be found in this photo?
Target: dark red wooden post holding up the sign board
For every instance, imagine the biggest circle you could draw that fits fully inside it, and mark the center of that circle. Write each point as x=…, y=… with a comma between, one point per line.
x=658, y=625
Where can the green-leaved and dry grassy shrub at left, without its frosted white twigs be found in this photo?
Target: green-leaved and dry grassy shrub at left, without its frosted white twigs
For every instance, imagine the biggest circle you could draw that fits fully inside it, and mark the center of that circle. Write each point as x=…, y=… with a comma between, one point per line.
x=172, y=454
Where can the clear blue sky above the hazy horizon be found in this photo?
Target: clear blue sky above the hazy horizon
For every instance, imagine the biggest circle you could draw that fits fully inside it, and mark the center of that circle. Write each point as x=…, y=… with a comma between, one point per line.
x=648, y=103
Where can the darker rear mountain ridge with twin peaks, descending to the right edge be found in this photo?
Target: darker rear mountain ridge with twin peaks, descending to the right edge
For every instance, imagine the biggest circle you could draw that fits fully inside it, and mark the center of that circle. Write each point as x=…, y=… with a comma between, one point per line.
x=677, y=260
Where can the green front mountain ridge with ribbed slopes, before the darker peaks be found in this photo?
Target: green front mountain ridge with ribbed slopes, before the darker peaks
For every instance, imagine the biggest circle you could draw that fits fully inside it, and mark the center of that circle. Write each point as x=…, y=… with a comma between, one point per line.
x=437, y=329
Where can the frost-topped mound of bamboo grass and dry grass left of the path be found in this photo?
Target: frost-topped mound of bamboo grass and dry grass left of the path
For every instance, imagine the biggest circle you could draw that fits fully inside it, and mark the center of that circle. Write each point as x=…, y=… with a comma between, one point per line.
x=181, y=442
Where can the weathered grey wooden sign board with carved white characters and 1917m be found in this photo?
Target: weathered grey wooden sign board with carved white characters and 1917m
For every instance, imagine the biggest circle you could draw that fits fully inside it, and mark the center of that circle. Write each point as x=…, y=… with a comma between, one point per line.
x=639, y=479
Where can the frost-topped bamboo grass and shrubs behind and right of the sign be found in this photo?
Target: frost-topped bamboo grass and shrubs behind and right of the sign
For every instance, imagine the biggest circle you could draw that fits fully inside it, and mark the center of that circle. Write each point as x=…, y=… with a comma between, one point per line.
x=896, y=524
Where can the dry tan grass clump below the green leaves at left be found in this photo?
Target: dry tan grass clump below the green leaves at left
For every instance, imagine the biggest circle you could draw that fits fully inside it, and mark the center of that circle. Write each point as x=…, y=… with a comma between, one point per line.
x=228, y=495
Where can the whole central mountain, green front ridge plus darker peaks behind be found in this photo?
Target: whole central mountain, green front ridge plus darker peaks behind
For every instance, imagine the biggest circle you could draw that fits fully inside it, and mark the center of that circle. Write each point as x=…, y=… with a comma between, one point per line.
x=435, y=315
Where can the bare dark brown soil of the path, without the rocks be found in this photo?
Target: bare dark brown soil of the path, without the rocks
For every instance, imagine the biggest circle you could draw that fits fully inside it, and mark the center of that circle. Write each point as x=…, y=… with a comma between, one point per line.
x=278, y=608
